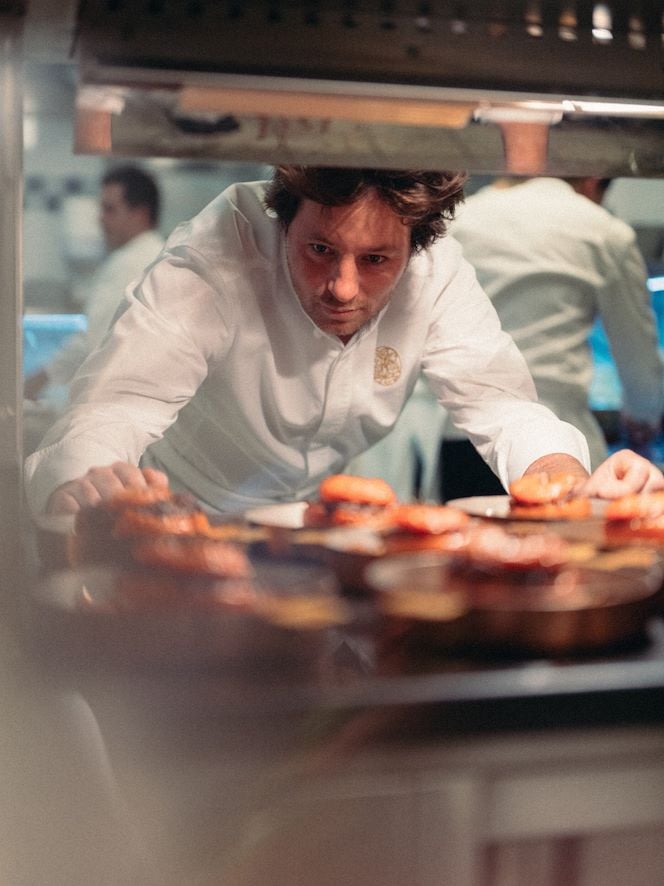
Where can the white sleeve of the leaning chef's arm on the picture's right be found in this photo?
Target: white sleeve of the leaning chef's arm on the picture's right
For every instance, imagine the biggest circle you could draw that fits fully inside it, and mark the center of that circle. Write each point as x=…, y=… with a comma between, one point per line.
x=481, y=378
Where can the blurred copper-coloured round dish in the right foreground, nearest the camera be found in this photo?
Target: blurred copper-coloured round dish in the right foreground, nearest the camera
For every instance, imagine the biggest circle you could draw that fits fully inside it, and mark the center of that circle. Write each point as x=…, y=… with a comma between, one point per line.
x=577, y=609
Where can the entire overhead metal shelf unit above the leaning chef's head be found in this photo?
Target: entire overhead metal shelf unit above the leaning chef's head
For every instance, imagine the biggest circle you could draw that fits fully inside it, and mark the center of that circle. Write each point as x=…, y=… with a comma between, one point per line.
x=396, y=84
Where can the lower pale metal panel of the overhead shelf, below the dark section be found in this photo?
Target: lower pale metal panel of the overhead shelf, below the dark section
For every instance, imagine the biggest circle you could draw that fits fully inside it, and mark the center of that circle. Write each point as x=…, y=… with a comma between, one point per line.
x=209, y=124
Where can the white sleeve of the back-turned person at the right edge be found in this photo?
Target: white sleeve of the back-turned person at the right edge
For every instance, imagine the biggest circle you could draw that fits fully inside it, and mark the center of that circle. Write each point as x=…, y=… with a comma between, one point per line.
x=631, y=328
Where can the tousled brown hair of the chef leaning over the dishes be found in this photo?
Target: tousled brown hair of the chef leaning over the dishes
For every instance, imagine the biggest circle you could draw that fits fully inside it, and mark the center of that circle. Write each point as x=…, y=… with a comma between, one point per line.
x=423, y=200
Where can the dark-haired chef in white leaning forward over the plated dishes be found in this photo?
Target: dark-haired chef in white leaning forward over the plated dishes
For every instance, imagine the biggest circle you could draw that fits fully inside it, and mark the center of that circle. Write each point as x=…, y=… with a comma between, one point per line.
x=280, y=333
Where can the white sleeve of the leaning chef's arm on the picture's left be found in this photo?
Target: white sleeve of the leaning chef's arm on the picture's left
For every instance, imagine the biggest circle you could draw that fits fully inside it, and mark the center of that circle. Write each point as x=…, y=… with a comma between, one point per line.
x=130, y=390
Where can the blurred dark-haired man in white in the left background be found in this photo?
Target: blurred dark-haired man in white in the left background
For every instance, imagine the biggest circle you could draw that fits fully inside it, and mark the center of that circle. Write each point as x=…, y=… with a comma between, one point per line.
x=129, y=215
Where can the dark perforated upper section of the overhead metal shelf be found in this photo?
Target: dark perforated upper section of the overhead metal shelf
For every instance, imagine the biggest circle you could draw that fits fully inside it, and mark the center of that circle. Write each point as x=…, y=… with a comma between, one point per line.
x=514, y=45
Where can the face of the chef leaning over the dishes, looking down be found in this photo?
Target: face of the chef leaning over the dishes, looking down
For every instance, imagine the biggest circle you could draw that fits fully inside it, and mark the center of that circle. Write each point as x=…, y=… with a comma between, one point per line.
x=345, y=261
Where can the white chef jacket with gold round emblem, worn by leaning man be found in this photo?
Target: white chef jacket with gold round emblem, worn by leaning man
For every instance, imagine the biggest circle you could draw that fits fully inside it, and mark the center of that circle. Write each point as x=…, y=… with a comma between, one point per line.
x=215, y=366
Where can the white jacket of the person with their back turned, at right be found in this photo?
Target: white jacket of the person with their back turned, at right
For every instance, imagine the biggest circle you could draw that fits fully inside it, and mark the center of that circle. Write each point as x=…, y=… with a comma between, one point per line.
x=552, y=261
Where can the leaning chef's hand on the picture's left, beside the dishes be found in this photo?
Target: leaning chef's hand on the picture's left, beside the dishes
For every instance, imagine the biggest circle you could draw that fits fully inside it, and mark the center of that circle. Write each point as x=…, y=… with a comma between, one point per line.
x=101, y=484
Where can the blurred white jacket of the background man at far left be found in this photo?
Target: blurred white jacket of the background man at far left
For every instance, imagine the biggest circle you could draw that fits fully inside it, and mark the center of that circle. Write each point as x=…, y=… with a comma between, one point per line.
x=106, y=289
